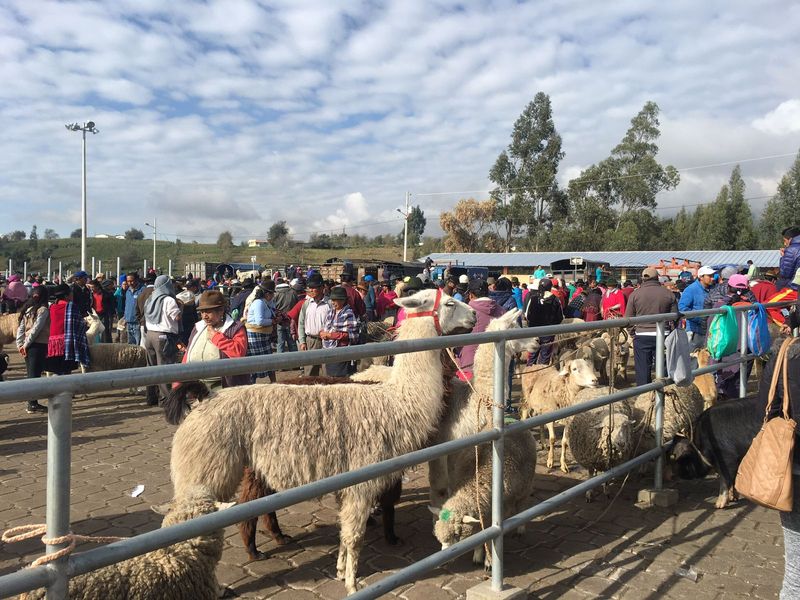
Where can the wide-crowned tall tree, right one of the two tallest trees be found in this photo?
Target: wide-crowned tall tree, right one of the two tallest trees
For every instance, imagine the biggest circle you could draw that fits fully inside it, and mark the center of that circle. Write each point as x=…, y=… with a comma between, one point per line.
x=631, y=177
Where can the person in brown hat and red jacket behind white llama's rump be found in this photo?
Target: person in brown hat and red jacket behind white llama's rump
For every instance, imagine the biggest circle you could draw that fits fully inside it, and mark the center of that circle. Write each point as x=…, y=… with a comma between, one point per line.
x=217, y=336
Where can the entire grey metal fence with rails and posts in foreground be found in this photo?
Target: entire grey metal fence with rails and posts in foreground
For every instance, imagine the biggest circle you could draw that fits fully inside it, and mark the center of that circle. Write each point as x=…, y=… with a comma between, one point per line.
x=61, y=390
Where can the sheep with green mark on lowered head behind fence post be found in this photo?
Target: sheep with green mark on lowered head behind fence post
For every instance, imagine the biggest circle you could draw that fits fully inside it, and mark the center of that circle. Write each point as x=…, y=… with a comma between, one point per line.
x=459, y=516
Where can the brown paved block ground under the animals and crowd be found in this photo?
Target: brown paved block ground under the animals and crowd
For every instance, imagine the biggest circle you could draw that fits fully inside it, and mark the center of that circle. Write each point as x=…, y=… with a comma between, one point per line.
x=597, y=550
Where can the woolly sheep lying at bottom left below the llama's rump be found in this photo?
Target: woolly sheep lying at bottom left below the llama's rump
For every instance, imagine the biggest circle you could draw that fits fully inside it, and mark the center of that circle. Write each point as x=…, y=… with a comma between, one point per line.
x=186, y=570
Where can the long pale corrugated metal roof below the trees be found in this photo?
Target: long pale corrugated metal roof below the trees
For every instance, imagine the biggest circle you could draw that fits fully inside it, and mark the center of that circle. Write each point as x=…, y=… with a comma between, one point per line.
x=529, y=260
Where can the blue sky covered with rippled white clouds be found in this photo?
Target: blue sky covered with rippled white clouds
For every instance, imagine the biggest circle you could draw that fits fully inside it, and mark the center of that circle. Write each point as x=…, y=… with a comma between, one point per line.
x=235, y=114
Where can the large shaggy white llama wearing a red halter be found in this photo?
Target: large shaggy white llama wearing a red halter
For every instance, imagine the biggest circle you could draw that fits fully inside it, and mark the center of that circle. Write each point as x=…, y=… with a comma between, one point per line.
x=293, y=435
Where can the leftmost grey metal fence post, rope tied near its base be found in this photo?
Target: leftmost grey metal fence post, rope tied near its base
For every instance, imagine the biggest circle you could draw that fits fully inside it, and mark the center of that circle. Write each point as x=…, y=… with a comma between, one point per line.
x=59, y=459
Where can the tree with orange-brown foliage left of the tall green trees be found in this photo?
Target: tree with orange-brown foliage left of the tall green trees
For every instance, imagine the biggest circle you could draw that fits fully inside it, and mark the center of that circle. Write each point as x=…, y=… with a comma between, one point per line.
x=469, y=227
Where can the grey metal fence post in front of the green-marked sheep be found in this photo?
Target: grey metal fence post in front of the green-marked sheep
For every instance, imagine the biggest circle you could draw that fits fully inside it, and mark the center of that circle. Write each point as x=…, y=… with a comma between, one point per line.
x=498, y=419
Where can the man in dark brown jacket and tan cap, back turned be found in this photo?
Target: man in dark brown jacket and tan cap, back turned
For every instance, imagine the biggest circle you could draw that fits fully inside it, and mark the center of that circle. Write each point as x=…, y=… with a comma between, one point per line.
x=650, y=298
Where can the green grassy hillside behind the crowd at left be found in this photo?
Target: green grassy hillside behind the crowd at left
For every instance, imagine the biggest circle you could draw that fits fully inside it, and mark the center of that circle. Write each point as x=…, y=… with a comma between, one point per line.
x=133, y=252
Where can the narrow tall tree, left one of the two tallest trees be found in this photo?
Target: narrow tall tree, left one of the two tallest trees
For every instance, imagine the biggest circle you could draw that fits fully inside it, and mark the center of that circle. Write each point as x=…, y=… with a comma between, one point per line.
x=527, y=193
